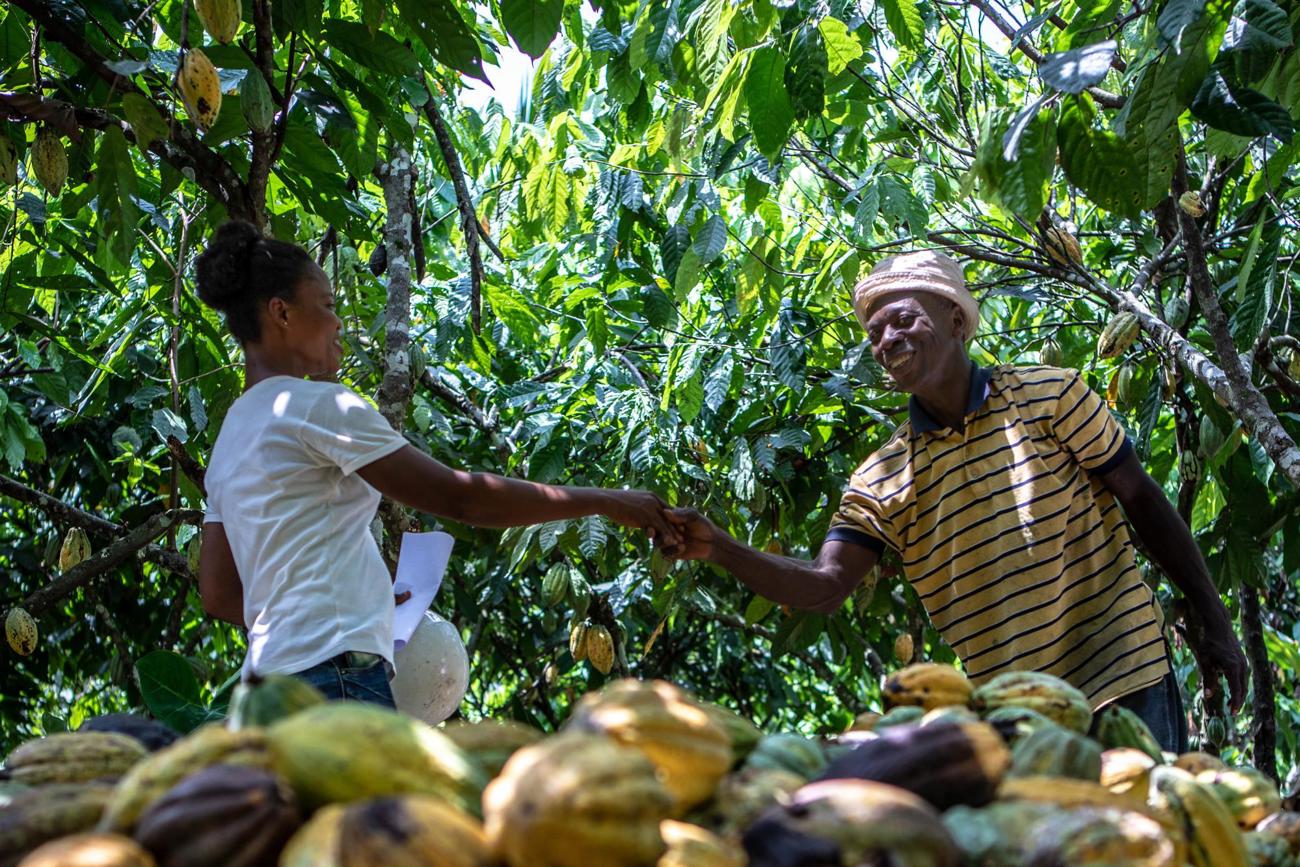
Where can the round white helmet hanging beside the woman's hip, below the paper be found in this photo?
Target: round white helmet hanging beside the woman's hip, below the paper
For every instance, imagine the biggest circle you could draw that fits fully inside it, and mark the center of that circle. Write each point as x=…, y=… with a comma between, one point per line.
x=432, y=671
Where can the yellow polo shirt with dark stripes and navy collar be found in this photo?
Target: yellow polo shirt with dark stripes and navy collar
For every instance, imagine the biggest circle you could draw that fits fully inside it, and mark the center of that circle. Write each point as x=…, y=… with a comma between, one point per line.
x=1021, y=556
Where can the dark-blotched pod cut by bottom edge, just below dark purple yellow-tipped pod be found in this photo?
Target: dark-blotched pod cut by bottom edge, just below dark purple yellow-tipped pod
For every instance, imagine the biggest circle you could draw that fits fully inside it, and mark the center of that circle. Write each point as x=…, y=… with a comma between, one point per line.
x=851, y=822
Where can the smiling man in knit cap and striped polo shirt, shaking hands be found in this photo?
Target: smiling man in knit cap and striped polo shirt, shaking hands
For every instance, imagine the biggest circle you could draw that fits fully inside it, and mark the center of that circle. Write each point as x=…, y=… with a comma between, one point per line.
x=1006, y=495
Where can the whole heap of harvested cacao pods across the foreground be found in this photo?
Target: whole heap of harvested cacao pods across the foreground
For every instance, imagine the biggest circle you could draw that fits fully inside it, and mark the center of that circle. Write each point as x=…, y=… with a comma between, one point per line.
x=1016, y=771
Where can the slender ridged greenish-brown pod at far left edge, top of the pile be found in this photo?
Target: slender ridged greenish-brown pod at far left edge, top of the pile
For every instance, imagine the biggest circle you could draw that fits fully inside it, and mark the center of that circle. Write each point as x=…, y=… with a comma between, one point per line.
x=73, y=757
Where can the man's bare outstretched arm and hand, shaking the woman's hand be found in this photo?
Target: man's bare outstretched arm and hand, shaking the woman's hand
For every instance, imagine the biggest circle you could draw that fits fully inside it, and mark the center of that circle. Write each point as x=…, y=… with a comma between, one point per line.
x=820, y=586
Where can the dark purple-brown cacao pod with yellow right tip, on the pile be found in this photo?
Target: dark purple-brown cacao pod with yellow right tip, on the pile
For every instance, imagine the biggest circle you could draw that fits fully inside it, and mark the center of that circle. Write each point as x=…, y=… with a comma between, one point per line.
x=946, y=765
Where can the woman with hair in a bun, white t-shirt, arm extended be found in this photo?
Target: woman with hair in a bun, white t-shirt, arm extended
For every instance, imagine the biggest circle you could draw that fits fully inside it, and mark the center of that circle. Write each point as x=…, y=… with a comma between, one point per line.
x=297, y=472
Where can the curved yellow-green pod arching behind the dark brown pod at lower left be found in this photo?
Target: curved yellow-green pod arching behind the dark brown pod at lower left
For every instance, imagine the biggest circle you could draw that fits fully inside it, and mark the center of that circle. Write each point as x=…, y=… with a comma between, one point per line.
x=155, y=775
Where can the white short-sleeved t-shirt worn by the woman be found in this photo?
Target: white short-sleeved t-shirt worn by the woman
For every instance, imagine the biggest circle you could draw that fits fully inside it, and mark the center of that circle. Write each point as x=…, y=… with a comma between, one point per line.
x=283, y=482
